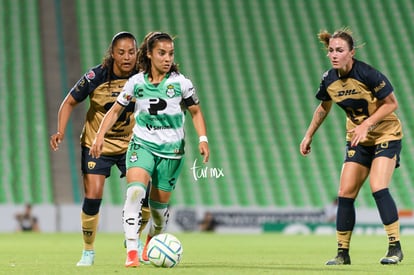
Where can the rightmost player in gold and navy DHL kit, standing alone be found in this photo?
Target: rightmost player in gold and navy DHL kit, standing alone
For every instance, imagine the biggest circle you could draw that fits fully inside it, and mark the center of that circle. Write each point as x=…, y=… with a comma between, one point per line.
x=373, y=136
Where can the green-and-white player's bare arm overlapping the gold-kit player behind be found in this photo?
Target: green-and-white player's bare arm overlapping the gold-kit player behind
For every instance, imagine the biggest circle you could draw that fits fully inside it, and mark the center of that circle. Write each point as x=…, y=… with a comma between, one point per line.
x=107, y=122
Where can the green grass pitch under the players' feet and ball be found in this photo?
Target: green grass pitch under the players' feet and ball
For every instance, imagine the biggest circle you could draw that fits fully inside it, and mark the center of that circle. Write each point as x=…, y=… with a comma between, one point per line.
x=204, y=253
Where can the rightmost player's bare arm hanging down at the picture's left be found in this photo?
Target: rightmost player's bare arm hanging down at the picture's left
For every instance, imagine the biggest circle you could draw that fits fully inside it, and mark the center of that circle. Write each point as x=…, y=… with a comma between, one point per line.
x=321, y=112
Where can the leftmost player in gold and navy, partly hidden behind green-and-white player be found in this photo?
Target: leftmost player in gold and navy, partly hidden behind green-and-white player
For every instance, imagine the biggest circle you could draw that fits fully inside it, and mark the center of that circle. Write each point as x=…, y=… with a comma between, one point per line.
x=102, y=84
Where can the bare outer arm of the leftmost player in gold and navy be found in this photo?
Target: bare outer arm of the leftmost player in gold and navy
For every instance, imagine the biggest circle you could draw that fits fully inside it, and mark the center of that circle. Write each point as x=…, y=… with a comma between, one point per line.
x=64, y=113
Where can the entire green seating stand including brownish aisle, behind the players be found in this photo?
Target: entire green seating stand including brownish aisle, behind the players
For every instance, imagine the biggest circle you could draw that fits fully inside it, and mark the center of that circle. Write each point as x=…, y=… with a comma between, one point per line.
x=256, y=65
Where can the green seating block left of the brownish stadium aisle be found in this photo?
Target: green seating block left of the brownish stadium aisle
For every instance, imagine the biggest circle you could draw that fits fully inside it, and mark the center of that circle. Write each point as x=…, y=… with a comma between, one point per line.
x=26, y=175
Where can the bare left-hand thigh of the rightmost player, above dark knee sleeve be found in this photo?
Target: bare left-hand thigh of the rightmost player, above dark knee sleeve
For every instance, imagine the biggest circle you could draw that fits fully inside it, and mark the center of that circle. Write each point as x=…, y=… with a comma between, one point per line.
x=353, y=175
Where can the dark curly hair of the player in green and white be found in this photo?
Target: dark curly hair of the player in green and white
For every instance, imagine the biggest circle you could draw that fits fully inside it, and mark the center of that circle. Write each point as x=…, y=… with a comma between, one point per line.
x=144, y=63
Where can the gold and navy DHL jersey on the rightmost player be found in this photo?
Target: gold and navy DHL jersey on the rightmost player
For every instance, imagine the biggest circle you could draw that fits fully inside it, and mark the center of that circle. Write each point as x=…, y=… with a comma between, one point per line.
x=358, y=94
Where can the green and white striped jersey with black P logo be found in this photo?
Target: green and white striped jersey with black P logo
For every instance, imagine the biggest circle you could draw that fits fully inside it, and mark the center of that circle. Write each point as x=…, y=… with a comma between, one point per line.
x=158, y=112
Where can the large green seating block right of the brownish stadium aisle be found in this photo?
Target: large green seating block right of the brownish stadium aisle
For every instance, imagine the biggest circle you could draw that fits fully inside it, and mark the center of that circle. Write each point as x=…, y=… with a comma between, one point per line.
x=257, y=86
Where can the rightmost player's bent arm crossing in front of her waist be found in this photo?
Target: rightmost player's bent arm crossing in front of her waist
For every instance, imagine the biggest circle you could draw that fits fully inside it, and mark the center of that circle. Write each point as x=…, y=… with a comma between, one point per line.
x=385, y=107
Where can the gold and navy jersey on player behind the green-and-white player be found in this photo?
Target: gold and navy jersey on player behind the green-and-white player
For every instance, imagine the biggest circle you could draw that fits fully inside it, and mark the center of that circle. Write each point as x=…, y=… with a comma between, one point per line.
x=103, y=92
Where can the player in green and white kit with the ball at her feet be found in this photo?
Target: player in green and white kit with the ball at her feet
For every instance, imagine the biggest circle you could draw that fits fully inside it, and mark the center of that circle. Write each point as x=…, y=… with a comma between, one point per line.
x=156, y=149
